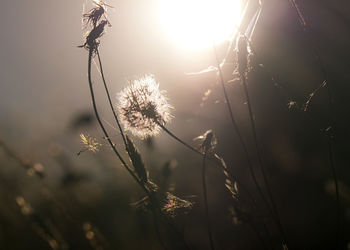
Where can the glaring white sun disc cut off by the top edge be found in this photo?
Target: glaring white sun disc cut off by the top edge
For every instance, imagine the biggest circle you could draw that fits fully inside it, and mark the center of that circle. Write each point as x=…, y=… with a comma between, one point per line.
x=196, y=24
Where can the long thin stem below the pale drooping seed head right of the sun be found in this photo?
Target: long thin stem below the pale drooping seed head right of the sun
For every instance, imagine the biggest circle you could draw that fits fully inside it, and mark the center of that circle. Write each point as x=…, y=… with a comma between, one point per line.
x=252, y=122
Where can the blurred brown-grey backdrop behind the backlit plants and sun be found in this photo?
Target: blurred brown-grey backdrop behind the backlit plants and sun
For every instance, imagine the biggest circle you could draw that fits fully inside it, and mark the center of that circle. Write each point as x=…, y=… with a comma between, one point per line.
x=50, y=198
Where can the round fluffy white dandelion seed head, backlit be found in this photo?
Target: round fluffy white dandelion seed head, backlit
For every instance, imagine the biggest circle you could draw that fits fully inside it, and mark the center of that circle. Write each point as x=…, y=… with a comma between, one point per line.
x=143, y=107
